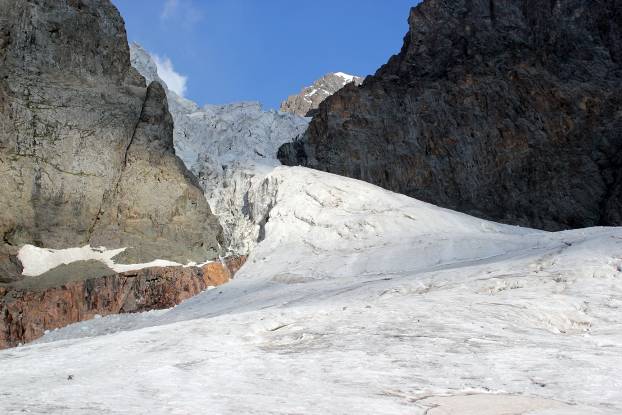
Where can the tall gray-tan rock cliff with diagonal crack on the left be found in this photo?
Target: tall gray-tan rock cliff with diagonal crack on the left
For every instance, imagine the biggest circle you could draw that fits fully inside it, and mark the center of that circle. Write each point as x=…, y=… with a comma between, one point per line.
x=86, y=153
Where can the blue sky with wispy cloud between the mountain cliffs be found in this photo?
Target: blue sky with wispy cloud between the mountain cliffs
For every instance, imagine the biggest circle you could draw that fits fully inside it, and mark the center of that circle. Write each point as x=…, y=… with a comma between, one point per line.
x=264, y=50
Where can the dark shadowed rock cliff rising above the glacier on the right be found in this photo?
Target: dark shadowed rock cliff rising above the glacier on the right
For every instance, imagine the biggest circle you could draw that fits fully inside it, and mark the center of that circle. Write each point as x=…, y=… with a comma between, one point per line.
x=505, y=109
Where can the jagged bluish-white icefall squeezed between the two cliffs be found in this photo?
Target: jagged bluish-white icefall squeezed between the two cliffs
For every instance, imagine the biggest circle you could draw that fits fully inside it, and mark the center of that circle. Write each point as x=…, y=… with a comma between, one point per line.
x=230, y=148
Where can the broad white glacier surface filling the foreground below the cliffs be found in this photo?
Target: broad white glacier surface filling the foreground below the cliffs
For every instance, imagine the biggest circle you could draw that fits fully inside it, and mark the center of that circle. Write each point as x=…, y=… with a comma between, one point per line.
x=358, y=301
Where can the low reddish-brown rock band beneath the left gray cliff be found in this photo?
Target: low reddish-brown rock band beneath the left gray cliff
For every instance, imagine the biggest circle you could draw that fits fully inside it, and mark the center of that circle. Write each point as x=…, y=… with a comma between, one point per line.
x=29, y=308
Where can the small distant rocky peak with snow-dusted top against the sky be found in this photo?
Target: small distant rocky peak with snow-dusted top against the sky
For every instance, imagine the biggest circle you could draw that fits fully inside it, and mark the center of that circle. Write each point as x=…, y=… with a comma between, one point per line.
x=309, y=99
